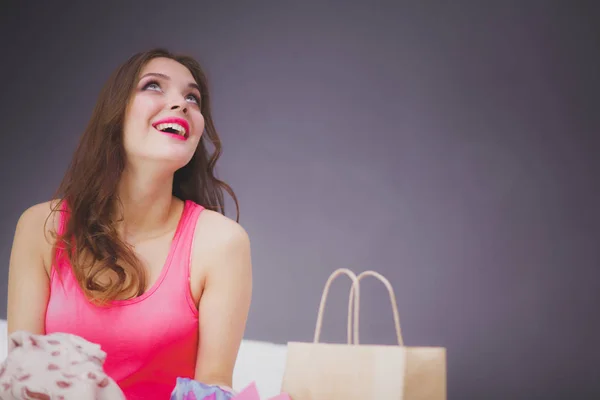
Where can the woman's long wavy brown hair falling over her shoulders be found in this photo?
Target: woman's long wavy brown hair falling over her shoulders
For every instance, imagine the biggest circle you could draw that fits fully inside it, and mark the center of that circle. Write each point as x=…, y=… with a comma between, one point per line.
x=88, y=191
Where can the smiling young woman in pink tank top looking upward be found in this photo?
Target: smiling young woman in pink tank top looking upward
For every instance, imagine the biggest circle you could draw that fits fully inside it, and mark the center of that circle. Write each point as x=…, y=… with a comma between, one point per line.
x=135, y=254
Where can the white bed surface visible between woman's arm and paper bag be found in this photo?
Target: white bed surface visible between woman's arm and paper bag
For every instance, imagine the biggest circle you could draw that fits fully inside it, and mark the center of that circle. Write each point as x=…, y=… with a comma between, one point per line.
x=257, y=361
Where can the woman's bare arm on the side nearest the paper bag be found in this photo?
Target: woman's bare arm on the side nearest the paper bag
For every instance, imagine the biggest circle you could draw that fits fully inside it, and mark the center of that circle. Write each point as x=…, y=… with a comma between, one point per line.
x=225, y=301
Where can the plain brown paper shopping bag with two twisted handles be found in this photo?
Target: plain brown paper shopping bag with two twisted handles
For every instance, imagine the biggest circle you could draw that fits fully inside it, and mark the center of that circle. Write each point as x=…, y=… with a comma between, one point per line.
x=351, y=371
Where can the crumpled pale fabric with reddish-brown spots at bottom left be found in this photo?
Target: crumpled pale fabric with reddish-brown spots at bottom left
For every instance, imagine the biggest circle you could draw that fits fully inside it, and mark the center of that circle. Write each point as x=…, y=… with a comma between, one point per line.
x=56, y=366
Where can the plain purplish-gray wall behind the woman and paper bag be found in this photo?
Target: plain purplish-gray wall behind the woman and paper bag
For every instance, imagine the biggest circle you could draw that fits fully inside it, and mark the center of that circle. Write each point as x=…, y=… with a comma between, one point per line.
x=452, y=147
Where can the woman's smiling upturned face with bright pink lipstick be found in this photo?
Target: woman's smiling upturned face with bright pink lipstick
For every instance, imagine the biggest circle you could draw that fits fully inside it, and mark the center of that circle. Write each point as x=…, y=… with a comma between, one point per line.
x=163, y=122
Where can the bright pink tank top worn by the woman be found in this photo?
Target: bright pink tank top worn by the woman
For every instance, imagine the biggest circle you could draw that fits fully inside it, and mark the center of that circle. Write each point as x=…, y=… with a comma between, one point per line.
x=149, y=340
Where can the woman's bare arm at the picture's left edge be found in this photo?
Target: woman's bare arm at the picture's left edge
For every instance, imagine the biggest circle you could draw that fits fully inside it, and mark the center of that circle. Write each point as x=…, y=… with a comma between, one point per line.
x=28, y=282
